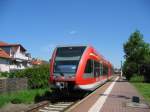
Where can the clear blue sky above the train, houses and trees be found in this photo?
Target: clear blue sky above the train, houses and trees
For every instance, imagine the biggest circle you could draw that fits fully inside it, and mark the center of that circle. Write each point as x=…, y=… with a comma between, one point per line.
x=40, y=25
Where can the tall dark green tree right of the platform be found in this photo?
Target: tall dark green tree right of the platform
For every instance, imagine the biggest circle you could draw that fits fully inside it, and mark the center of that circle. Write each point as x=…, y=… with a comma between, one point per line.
x=137, y=55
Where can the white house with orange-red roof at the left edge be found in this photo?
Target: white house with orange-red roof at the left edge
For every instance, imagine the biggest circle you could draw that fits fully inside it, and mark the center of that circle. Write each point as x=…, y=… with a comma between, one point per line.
x=15, y=56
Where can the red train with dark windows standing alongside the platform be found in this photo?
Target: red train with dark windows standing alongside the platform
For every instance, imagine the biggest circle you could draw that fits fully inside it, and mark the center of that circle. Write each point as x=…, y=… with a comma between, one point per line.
x=78, y=67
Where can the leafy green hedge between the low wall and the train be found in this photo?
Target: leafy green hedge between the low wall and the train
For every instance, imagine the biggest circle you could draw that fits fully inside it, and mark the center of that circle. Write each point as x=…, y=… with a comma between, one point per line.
x=37, y=76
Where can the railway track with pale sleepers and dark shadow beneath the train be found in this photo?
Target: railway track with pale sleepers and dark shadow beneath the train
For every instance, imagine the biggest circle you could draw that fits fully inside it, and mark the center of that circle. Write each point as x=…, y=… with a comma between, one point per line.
x=57, y=102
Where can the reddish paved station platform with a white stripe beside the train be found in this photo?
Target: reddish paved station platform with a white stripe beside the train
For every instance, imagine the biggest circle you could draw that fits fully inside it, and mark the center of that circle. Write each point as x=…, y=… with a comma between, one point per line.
x=114, y=96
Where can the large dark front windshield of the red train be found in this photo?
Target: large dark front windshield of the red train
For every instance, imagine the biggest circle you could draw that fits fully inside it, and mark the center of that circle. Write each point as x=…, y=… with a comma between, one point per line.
x=67, y=59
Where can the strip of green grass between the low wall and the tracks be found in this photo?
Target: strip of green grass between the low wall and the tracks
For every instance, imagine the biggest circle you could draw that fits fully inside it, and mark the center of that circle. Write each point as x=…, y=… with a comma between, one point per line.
x=23, y=96
